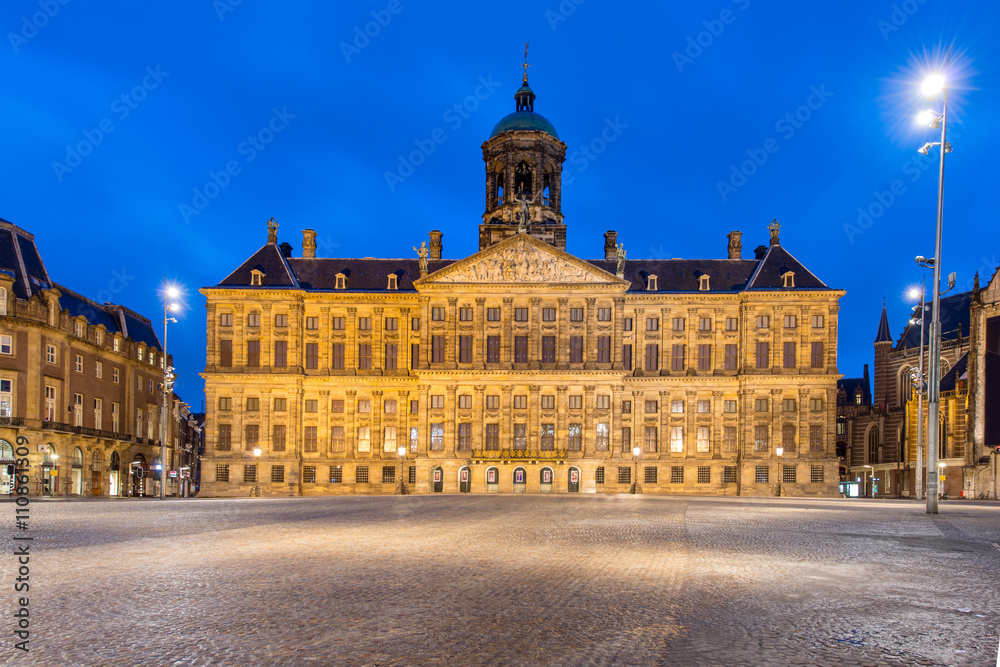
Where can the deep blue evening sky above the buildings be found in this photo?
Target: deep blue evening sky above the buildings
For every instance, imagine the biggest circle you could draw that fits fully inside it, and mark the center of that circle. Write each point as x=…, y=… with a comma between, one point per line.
x=692, y=90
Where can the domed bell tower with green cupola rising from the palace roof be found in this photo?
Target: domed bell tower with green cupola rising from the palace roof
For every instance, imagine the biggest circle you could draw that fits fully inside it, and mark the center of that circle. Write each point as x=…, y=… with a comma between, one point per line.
x=524, y=159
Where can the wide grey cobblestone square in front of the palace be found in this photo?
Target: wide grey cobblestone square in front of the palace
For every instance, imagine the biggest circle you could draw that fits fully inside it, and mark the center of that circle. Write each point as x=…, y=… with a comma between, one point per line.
x=509, y=580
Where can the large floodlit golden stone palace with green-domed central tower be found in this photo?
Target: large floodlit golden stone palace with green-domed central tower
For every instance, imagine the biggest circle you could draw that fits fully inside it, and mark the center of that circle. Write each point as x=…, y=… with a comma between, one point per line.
x=521, y=368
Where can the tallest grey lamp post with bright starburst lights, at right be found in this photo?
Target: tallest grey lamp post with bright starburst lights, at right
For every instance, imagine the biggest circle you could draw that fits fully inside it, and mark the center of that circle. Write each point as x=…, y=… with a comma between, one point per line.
x=934, y=85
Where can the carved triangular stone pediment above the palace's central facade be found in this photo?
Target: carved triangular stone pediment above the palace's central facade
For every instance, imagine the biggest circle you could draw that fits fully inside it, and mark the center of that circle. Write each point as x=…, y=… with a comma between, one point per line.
x=521, y=259
